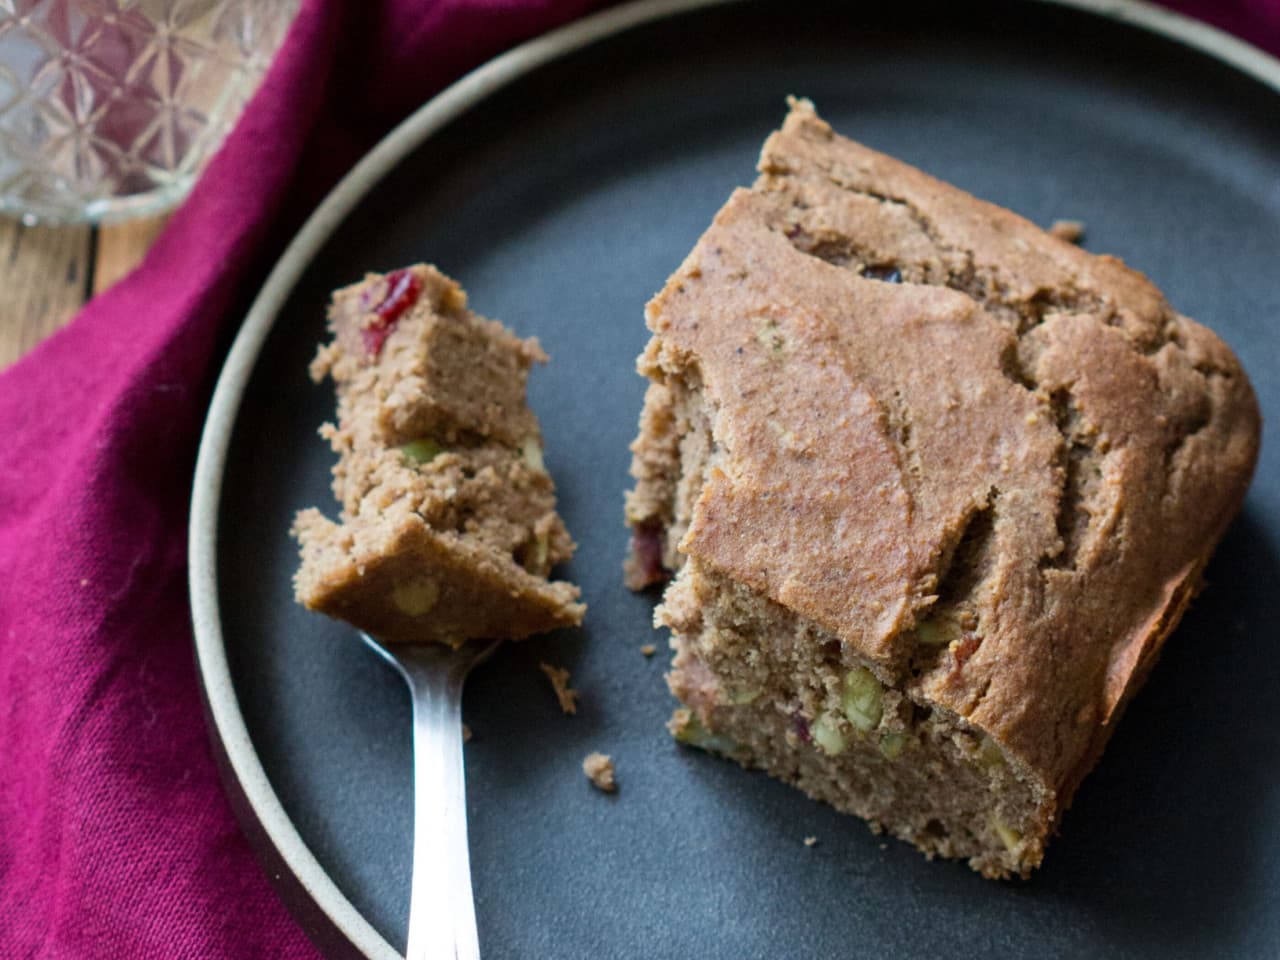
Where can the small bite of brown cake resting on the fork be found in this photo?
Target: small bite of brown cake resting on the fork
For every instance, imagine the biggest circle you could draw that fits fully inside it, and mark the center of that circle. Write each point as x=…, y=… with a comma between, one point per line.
x=449, y=525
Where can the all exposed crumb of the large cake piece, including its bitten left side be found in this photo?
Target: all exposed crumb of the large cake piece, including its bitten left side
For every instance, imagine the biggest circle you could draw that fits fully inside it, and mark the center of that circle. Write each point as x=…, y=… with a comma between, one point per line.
x=775, y=692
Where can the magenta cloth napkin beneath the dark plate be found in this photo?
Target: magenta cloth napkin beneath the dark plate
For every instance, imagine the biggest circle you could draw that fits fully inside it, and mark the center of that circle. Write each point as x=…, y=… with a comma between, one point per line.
x=116, y=840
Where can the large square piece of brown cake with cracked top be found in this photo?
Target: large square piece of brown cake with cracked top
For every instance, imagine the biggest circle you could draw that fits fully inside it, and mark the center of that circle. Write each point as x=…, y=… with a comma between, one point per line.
x=934, y=487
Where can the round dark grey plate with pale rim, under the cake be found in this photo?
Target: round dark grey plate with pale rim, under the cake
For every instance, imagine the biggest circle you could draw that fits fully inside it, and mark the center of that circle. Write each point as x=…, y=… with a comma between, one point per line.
x=563, y=202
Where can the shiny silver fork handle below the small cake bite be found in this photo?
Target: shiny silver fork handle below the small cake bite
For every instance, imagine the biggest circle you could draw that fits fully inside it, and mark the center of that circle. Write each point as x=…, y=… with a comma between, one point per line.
x=442, y=916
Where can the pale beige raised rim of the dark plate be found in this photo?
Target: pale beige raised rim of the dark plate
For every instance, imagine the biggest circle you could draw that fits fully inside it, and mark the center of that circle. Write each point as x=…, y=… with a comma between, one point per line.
x=326, y=913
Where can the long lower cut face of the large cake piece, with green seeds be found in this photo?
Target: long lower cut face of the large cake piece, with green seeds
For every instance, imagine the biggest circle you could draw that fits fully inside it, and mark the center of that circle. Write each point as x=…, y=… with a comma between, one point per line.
x=772, y=692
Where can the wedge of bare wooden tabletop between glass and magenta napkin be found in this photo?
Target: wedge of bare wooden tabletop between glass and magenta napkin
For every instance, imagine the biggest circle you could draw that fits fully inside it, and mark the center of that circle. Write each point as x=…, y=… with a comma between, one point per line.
x=48, y=273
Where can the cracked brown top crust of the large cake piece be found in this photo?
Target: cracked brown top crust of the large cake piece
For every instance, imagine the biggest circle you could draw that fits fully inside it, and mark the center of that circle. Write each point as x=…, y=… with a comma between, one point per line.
x=927, y=409
